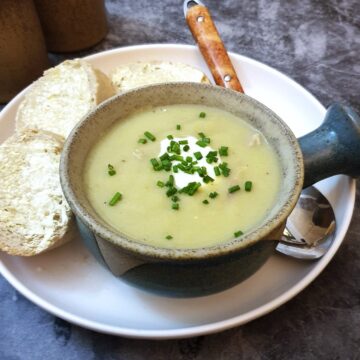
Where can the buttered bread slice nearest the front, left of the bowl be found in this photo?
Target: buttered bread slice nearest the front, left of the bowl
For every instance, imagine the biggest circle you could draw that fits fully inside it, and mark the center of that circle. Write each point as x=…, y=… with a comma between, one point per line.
x=34, y=215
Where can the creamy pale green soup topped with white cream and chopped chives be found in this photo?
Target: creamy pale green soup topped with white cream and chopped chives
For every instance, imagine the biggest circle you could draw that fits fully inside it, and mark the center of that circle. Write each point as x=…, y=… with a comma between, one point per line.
x=182, y=176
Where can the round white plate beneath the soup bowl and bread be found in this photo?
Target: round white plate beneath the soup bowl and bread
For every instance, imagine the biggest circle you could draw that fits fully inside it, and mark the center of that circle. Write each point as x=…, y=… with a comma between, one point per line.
x=69, y=283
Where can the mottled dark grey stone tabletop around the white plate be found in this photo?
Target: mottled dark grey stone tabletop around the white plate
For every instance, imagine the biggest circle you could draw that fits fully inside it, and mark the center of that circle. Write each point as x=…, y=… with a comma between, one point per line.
x=316, y=42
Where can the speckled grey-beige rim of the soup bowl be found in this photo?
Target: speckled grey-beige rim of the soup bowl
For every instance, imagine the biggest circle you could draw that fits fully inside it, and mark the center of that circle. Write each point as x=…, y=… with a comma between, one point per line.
x=141, y=250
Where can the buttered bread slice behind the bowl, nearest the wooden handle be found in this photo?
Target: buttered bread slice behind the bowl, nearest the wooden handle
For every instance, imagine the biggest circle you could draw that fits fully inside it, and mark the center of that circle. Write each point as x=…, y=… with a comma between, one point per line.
x=137, y=74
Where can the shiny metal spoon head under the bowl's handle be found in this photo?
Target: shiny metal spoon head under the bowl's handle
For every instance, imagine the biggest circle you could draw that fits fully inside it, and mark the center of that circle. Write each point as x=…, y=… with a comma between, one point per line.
x=310, y=228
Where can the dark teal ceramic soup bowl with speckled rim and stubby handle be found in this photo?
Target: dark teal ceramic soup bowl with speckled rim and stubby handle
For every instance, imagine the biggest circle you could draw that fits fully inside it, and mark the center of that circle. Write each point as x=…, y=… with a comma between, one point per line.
x=202, y=271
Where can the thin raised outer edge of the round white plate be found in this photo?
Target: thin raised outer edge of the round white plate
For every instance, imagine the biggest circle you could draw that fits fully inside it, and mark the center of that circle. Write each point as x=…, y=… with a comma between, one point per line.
x=205, y=328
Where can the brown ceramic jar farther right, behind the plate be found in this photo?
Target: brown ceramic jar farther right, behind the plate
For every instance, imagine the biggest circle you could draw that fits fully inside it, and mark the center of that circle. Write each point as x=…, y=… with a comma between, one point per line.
x=72, y=25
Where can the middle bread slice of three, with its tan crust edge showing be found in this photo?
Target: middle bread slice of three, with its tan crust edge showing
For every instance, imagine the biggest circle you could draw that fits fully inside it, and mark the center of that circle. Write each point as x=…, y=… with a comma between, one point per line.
x=62, y=96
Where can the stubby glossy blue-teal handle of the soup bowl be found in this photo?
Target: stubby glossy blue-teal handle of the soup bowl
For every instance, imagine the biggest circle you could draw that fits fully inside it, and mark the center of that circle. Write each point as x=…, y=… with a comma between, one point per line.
x=334, y=147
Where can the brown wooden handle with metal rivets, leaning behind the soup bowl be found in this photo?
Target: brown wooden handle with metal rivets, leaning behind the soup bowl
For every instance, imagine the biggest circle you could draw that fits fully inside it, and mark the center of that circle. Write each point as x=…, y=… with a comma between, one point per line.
x=212, y=48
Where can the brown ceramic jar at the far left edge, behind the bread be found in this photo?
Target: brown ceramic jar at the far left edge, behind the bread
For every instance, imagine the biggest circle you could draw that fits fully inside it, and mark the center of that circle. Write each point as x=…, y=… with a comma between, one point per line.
x=23, y=55
